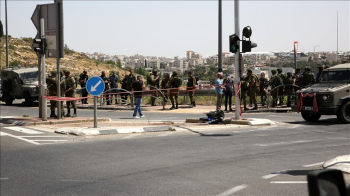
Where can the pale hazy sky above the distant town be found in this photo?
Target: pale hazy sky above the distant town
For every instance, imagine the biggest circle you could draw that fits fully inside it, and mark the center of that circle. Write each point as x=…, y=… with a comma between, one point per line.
x=170, y=28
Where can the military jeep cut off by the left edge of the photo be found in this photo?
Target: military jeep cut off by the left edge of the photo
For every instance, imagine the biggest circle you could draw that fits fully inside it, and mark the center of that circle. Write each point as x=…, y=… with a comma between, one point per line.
x=19, y=83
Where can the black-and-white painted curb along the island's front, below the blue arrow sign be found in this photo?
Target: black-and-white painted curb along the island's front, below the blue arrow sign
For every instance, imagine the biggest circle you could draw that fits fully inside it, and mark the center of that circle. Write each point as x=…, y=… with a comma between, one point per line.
x=79, y=131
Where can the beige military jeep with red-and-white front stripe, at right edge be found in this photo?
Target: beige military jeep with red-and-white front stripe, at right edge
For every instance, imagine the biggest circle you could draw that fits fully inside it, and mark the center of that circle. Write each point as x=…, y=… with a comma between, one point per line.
x=331, y=96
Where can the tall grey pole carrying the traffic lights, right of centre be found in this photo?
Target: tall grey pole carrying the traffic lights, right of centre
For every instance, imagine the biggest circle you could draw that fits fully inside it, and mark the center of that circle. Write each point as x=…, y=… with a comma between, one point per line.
x=237, y=64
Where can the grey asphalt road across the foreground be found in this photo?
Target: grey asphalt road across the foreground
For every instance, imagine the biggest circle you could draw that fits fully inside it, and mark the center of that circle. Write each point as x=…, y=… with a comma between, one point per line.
x=266, y=160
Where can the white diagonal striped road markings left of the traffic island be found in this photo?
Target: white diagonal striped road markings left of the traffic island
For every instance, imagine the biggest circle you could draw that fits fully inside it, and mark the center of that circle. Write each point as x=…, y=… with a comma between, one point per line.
x=33, y=136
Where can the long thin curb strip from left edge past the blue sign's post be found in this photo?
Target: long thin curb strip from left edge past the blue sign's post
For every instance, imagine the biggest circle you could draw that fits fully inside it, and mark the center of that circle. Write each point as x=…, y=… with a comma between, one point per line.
x=24, y=123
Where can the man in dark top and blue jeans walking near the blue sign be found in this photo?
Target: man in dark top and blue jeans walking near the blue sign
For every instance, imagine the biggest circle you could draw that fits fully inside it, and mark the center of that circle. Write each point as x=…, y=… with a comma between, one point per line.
x=138, y=86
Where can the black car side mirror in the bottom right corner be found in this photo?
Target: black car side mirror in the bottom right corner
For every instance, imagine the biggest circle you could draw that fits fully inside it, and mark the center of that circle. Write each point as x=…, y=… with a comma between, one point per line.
x=326, y=182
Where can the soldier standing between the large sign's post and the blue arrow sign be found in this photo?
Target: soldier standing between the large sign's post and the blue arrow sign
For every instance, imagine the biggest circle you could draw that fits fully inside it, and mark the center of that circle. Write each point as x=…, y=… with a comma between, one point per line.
x=70, y=92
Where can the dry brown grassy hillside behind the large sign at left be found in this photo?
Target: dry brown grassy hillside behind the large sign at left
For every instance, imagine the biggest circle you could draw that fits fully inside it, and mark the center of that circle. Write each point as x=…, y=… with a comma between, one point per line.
x=20, y=50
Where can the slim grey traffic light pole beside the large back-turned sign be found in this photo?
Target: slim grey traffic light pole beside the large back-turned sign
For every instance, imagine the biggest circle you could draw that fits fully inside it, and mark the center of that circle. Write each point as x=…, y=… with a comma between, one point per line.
x=43, y=76
